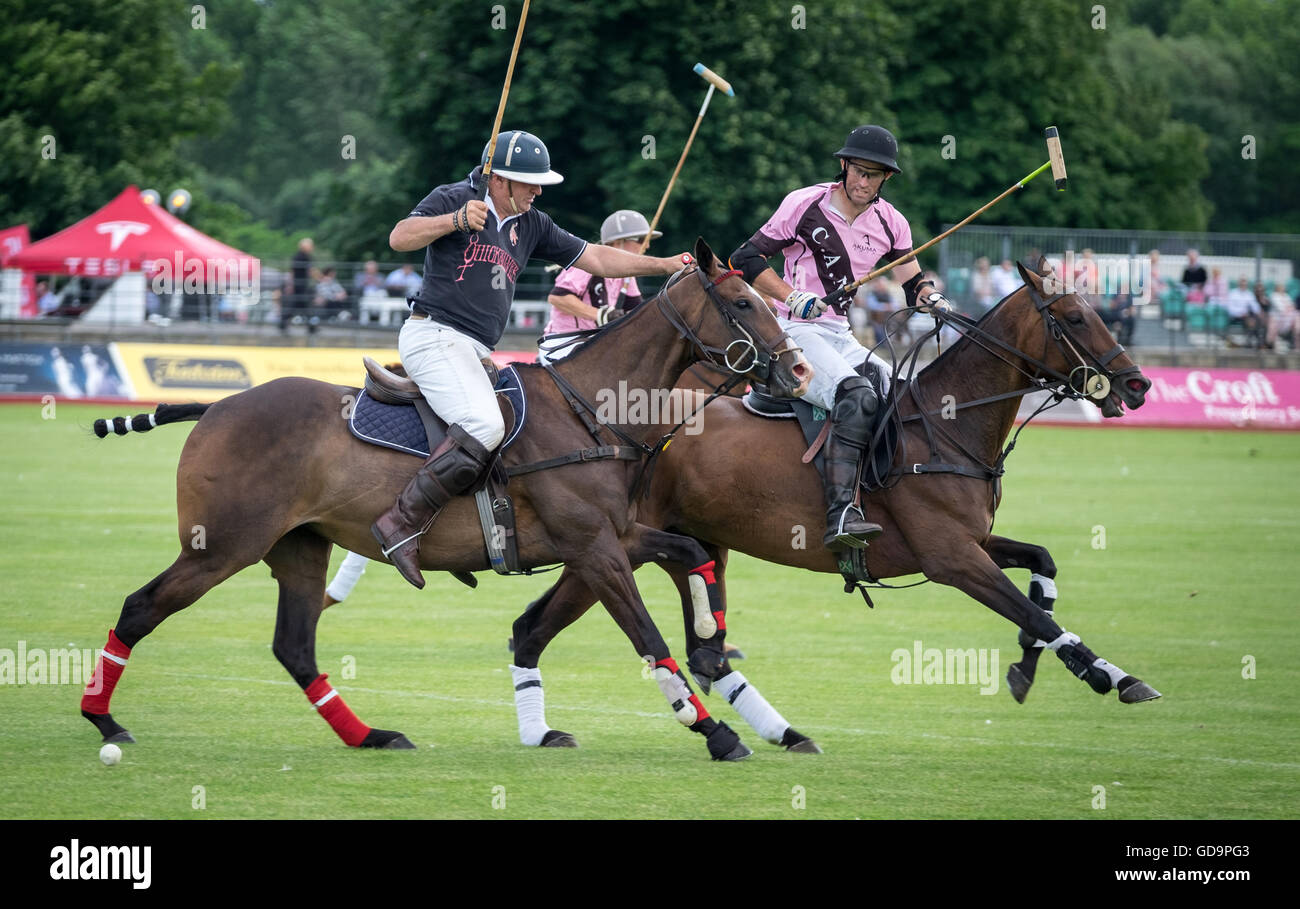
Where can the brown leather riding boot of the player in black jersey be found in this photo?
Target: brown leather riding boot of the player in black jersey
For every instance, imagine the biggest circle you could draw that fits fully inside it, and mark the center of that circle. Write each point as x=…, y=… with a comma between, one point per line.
x=449, y=471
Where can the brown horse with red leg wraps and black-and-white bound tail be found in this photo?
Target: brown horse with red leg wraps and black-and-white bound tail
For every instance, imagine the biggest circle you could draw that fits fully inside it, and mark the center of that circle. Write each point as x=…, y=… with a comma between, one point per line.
x=274, y=475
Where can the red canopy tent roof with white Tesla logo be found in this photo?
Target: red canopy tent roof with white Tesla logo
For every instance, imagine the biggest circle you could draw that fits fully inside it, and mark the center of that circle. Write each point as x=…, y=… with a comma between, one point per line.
x=128, y=235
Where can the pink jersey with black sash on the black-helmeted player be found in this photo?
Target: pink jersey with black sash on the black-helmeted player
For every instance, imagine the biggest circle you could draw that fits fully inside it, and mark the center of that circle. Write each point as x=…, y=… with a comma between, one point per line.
x=822, y=250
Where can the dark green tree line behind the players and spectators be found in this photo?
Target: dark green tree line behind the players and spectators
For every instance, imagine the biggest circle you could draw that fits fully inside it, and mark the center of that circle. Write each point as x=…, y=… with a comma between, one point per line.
x=335, y=118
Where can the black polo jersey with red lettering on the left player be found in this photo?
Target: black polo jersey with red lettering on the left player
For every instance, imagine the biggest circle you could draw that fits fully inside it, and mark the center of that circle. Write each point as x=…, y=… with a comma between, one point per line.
x=470, y=278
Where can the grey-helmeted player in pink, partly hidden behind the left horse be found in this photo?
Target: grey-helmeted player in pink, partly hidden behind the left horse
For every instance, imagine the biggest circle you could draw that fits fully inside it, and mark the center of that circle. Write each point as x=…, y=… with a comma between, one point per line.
x=582, y=301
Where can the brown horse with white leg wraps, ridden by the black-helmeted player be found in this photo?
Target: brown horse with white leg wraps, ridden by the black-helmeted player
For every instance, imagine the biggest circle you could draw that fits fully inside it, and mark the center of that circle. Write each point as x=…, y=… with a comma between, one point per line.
x=938, y=513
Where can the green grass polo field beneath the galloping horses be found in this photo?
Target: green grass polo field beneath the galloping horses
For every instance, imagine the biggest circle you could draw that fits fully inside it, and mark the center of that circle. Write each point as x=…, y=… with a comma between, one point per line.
x=1198, y=574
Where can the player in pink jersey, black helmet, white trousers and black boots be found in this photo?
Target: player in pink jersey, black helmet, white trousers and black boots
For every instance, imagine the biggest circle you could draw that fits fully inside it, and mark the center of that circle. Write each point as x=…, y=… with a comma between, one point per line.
x=829, y=236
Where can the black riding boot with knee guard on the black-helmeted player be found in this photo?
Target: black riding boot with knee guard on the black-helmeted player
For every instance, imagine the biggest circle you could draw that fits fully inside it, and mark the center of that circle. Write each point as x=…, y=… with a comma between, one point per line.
x=852, y=421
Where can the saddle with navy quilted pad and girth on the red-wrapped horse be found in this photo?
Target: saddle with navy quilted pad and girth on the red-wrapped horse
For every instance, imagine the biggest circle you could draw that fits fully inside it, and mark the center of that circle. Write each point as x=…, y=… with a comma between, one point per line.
x=392, y=412
